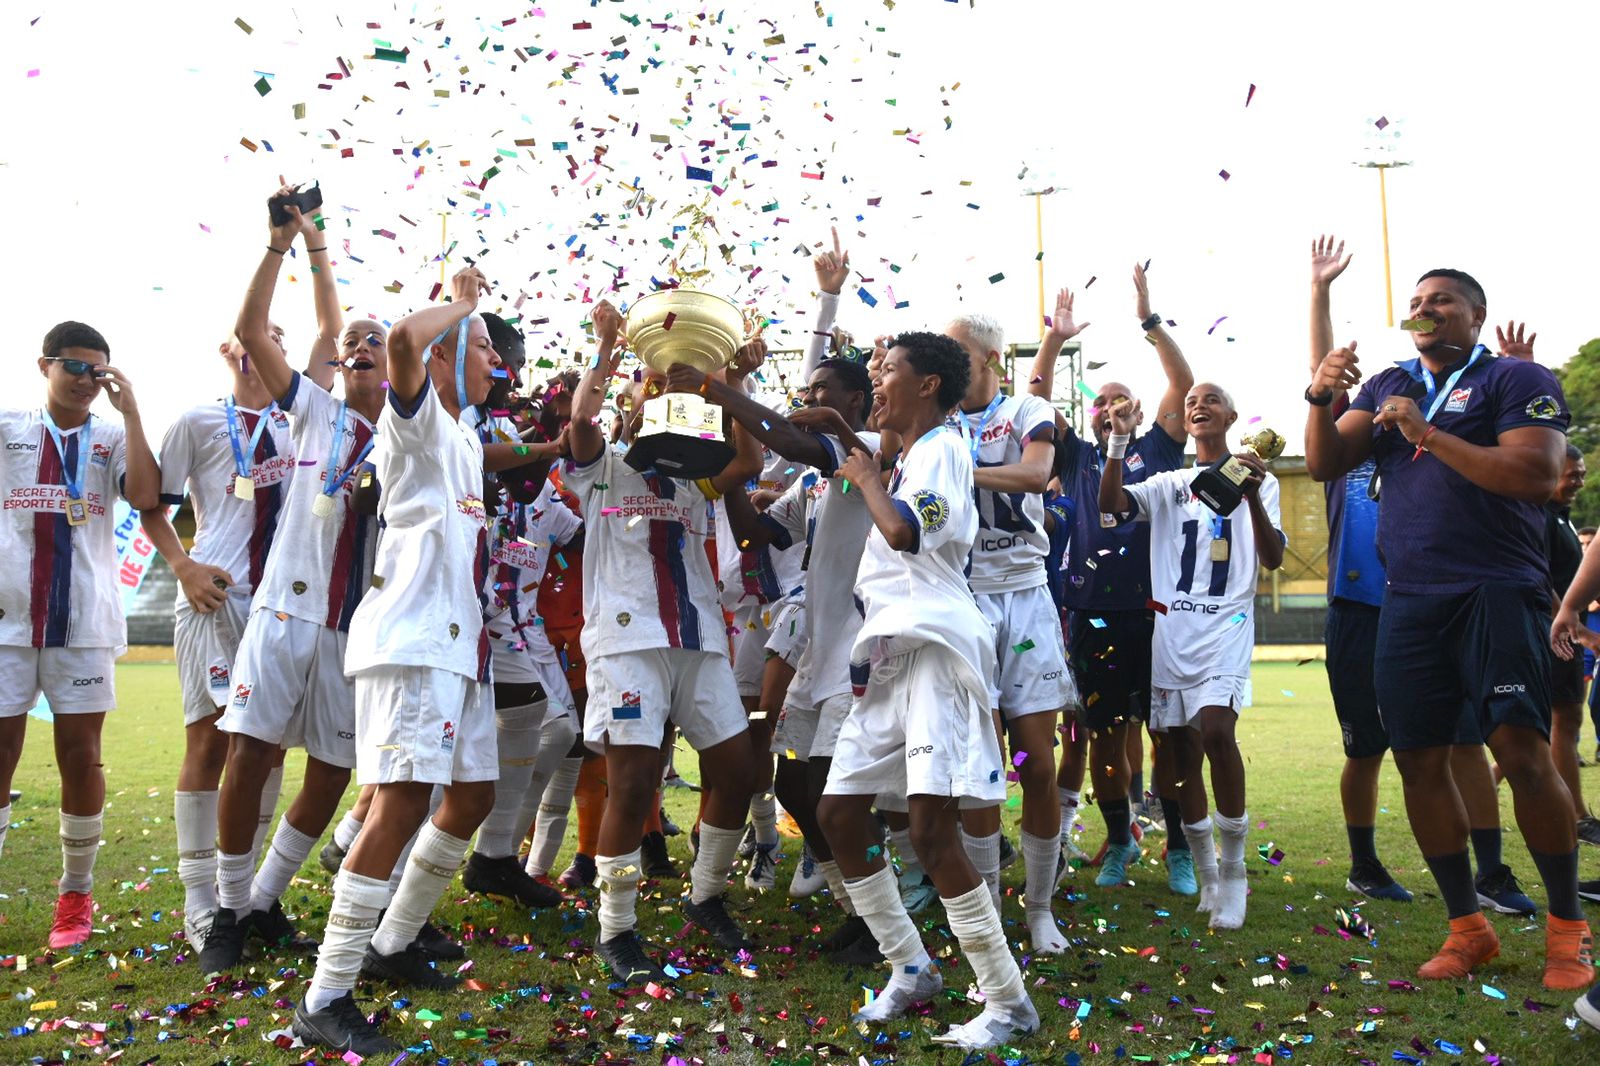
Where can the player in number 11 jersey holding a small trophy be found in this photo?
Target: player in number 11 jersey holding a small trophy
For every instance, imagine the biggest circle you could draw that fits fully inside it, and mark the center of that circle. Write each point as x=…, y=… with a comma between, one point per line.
x=1204, y=569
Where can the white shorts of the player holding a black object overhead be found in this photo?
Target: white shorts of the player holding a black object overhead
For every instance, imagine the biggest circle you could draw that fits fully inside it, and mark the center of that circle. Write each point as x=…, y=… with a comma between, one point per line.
x=290, y=689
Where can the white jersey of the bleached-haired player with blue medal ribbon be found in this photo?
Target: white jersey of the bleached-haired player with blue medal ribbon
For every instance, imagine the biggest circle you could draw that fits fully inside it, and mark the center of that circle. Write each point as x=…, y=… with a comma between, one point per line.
x=1009, y=553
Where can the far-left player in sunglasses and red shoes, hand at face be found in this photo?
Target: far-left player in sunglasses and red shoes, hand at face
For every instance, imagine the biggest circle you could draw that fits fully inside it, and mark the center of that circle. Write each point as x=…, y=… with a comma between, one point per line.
x=62, y=625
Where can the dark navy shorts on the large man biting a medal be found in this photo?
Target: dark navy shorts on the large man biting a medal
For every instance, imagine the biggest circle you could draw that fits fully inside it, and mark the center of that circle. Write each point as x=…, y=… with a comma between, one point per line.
x=1452, y=670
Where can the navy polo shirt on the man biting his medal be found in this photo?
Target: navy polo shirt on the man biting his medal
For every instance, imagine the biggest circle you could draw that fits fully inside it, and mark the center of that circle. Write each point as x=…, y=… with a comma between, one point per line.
x=1438, y=532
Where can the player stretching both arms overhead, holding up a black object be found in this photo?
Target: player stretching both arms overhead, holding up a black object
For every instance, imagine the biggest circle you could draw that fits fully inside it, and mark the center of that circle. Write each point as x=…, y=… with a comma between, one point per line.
x=289, y=675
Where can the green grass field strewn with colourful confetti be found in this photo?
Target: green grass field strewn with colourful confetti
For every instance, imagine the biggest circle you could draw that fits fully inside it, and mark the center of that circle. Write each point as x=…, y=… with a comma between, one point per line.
x=1143, y=980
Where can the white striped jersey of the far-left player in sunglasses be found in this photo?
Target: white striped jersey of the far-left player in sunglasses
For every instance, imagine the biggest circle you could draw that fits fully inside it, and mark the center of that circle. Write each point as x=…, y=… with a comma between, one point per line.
x=62, y=588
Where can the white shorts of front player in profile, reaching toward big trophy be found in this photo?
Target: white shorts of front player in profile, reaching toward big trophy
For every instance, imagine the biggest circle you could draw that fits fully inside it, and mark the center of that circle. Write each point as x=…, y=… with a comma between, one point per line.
x=919, y=732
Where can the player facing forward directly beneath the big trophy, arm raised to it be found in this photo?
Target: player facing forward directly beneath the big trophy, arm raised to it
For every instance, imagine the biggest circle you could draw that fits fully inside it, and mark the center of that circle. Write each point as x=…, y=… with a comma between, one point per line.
x=657, y=651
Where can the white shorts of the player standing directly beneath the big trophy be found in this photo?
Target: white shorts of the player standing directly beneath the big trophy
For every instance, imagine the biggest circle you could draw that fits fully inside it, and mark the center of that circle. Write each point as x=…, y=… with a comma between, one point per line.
x=634, y=694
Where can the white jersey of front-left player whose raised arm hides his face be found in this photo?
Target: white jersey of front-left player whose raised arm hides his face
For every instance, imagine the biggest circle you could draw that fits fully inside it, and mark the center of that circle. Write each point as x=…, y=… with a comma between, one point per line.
x=426, y=604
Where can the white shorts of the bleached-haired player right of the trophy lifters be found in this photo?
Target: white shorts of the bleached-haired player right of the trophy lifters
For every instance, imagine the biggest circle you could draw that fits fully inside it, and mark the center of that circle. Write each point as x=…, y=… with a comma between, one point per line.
x=1033, y=657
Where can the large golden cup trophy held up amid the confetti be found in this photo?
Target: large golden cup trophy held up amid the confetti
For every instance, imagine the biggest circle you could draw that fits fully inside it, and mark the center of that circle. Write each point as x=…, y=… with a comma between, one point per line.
x=681, y=435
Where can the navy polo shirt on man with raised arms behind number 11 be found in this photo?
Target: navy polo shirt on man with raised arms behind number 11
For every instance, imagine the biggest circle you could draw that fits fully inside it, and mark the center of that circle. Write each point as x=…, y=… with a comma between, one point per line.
x=1110, y=556
